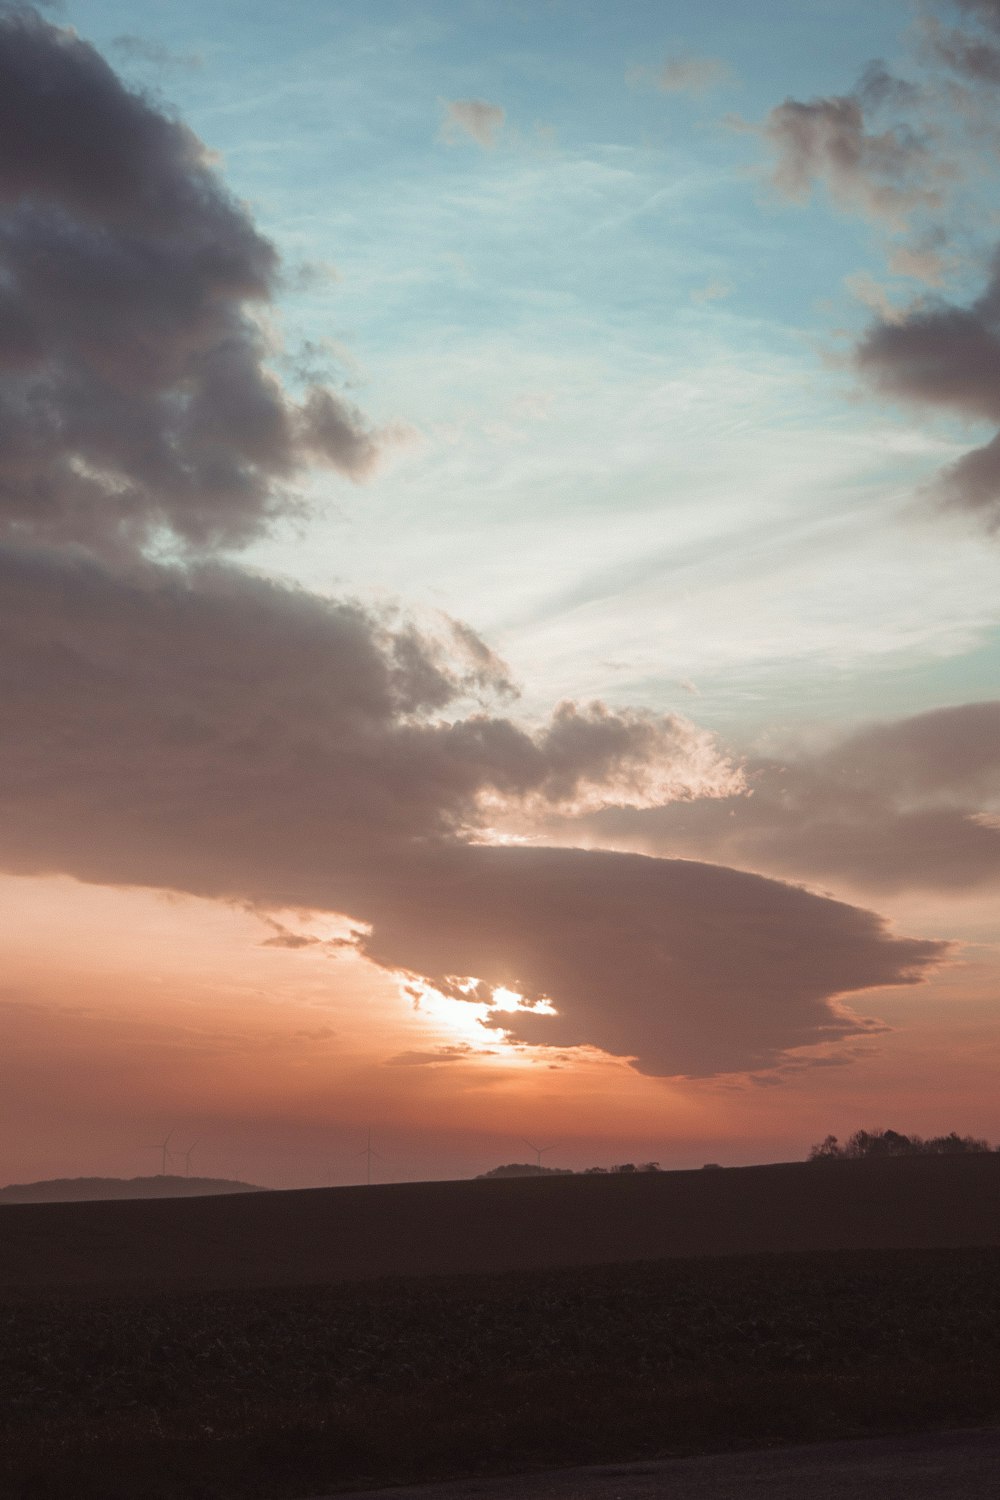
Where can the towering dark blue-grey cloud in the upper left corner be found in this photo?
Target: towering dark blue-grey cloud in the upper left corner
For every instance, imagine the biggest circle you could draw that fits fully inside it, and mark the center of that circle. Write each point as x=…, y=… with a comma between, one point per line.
x=136, y=394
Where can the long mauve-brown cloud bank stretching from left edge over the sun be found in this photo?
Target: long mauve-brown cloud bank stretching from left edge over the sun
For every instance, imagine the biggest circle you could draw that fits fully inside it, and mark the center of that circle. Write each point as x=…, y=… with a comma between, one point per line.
x=218, y=734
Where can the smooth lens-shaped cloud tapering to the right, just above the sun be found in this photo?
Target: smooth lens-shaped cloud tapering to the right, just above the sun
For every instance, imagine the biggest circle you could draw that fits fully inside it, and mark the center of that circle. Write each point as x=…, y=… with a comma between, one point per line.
x=687, y=968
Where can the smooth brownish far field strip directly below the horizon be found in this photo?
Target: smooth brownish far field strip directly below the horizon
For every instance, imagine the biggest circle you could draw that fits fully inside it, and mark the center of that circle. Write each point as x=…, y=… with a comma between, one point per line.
x=445, y=1228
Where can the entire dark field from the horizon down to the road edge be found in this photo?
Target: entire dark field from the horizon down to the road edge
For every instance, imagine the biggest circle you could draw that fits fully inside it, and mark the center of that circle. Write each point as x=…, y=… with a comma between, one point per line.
x=230, y=1348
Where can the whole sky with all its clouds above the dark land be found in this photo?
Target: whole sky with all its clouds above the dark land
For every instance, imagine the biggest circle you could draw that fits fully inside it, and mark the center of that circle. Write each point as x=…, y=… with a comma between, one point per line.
x=500, y=524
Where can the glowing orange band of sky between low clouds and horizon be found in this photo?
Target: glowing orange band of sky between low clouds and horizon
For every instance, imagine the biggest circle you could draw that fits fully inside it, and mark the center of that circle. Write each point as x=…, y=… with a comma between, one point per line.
x=128, y=1013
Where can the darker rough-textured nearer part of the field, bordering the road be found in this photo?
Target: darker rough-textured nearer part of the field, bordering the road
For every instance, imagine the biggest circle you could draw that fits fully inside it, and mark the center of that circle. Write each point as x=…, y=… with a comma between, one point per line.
x=287, y=1393
